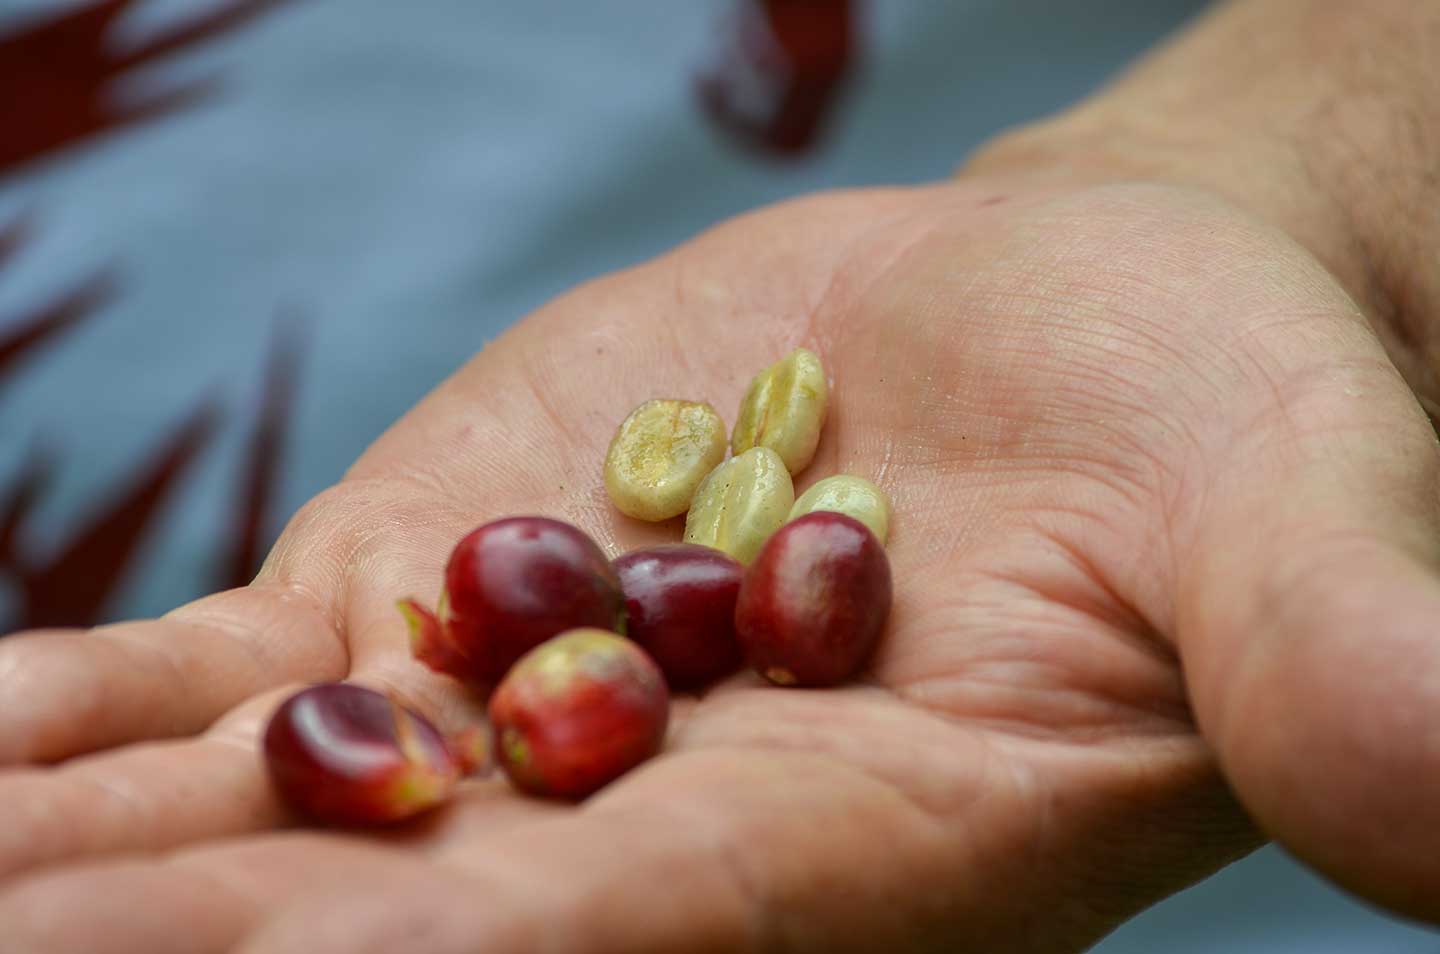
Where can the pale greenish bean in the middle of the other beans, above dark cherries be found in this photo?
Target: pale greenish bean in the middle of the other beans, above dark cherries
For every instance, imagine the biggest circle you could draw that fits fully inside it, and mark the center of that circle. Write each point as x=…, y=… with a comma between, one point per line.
x=741, y=504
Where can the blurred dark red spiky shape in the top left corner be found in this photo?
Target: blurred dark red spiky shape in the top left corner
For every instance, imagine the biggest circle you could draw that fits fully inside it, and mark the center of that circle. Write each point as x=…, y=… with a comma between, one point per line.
x=57, y=76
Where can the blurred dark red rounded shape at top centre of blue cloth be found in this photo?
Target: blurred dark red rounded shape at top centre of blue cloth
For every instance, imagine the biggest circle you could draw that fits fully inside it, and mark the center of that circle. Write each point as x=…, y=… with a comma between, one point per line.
x=783, y=68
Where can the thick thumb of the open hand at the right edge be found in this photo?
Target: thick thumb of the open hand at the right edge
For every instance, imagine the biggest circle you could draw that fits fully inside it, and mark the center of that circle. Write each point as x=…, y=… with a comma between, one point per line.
x=1310, y=626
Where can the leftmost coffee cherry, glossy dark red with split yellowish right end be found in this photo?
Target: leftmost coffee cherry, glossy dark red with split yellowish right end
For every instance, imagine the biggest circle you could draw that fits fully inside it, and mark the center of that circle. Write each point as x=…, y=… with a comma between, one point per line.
x=342, y=754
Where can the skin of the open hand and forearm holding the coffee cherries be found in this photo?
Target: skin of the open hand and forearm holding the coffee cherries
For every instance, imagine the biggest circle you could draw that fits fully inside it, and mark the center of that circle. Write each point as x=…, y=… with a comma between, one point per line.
x=1166, y=563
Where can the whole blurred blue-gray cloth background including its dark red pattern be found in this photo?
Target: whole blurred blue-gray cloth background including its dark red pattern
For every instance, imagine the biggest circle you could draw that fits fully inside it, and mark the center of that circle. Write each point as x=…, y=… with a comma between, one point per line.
x=240, y=238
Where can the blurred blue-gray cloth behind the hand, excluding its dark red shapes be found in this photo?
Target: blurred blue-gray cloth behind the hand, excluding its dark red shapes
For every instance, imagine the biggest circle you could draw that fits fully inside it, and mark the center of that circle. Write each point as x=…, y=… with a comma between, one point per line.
x=426, y=174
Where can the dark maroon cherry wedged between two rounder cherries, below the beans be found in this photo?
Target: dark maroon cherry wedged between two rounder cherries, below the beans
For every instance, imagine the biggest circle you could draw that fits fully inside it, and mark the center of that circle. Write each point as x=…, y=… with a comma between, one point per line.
x=680, y=607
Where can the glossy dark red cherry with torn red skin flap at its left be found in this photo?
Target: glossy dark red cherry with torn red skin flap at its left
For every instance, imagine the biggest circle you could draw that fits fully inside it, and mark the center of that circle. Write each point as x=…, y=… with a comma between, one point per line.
x=509, y=587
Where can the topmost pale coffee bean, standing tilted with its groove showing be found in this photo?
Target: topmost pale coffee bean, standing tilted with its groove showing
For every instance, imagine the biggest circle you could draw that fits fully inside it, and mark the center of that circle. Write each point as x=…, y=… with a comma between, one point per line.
x=784, y=410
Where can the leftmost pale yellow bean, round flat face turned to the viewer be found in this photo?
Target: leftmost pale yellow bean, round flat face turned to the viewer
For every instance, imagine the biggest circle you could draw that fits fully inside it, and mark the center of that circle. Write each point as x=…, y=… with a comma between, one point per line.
x=660, y=455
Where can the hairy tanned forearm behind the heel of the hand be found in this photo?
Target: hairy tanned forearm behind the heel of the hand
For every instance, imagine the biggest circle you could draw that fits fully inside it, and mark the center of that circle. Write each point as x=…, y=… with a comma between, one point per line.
x=1321, y=116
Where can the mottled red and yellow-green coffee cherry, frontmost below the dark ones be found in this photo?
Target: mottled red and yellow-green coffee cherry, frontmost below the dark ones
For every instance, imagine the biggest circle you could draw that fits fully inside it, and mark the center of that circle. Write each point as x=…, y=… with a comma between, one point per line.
x=578, y=713
